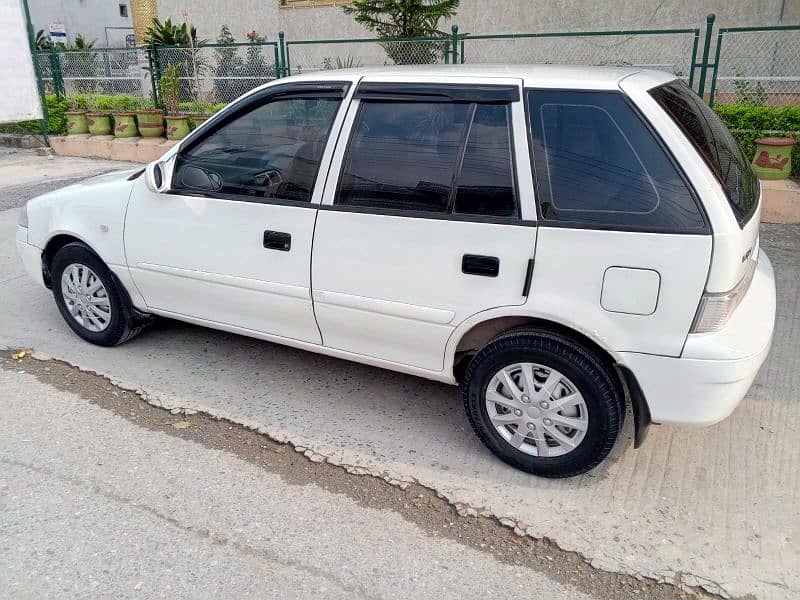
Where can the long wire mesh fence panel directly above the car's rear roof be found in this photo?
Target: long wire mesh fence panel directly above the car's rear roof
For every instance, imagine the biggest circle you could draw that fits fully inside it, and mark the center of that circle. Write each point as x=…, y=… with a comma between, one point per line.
x=673, y=51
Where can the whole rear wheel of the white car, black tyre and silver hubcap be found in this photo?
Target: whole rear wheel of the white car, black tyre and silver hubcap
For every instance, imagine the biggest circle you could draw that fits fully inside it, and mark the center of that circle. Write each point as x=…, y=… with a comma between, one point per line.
x=583, y=408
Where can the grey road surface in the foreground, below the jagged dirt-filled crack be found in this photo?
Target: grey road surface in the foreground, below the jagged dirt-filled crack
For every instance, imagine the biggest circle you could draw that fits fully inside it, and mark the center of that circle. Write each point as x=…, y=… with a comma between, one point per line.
x=93, y=506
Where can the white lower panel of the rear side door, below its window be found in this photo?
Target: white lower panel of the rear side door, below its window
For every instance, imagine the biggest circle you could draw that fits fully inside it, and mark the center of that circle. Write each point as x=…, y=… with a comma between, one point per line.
x=393, y=287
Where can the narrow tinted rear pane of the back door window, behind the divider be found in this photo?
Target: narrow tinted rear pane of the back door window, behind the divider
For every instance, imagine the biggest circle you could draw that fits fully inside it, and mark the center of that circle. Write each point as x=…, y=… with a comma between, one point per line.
x=486, y=181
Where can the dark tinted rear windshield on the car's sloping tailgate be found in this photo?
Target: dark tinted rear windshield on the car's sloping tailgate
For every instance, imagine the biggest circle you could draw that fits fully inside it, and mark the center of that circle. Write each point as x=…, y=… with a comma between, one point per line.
x=714, y=143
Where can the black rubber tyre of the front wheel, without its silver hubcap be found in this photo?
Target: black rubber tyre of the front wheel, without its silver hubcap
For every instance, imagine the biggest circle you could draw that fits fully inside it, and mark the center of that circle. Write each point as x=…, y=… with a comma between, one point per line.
x=118, y=329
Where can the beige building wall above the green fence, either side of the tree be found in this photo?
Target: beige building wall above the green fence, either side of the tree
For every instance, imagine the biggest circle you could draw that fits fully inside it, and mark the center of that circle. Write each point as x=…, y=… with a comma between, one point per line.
x=324, y=19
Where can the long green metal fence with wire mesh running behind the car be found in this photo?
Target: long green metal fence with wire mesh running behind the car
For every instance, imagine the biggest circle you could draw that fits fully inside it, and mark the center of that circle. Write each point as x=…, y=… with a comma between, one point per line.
x=756, y=63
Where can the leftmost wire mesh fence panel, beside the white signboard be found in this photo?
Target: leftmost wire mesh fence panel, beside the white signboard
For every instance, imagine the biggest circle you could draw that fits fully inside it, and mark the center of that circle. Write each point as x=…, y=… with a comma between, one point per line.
x=96, y=71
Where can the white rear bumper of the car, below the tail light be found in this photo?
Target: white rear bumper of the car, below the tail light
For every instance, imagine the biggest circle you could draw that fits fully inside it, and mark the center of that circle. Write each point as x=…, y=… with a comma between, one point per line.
x=715, y=370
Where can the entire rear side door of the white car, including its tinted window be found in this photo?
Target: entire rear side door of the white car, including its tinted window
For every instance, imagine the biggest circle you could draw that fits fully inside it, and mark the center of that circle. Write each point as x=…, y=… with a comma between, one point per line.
x=419, y=185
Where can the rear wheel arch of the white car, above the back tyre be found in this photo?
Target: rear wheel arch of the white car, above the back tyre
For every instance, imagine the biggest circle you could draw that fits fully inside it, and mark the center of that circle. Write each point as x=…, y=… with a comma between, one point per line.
x=479, y=330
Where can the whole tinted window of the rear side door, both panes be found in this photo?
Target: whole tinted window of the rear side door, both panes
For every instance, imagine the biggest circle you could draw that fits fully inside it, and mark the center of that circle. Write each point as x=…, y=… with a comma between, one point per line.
x=436, y=157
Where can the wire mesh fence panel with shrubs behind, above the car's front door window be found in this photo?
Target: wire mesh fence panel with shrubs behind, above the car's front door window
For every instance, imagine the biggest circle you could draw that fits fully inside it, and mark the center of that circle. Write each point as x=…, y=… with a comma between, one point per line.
x=221, y=72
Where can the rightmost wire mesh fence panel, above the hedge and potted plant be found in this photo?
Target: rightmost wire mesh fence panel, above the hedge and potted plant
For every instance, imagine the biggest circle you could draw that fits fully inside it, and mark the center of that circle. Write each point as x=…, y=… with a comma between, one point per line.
x=759, y=65
